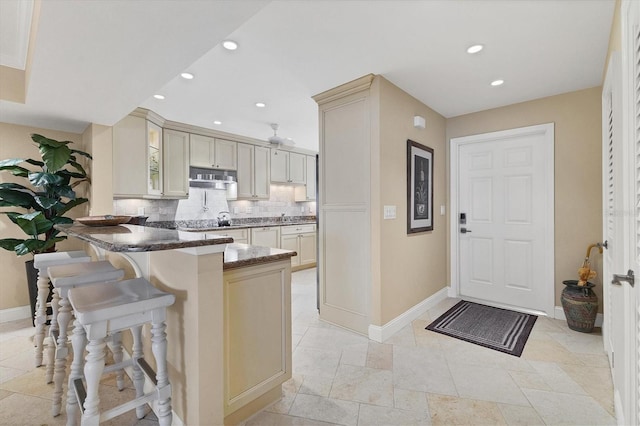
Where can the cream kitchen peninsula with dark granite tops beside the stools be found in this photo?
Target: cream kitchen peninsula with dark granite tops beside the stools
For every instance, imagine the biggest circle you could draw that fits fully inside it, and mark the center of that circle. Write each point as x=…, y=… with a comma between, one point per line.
x=229, y=331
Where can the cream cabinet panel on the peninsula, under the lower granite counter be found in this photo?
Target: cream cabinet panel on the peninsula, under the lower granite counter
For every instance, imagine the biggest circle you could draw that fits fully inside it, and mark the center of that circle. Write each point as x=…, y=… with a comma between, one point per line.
x=257, y=337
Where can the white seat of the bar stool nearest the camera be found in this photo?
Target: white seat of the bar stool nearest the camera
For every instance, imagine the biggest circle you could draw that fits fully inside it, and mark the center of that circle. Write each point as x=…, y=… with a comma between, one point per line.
x=103, y=303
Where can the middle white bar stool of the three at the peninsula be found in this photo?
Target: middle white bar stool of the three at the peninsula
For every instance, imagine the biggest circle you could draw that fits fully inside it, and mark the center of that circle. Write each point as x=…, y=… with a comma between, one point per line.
x=64, y=278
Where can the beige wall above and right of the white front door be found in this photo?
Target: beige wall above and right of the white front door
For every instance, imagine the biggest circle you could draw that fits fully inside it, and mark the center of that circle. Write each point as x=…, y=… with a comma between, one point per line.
x=578, y=189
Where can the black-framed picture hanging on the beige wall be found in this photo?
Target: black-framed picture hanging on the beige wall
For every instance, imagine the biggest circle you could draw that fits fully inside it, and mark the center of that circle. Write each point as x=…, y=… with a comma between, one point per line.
x=419, y=187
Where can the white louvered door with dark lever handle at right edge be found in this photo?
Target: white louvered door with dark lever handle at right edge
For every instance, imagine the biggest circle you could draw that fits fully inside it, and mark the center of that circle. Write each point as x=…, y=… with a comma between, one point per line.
x=621, y=207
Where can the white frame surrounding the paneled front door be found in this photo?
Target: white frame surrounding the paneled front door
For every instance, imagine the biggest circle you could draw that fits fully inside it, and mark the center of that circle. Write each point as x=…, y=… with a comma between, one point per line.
x=454, y=145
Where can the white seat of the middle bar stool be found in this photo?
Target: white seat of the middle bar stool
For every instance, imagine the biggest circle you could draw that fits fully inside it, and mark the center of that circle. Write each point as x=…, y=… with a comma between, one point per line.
x=77, y=274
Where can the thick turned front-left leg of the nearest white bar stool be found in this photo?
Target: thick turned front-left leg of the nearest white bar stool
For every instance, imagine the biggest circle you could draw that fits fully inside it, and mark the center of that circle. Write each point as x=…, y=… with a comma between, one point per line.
x=93, y=369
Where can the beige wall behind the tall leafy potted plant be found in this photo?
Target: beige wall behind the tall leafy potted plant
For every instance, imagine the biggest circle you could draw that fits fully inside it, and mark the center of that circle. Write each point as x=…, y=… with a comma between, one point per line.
x=15, y=142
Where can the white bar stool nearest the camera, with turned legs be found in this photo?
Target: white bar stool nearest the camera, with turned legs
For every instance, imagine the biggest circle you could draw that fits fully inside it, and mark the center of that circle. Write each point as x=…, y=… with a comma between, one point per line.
x=105, y=309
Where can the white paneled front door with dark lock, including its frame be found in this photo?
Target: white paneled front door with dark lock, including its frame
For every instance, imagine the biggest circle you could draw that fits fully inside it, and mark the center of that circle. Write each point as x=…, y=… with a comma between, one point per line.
x=503, y=217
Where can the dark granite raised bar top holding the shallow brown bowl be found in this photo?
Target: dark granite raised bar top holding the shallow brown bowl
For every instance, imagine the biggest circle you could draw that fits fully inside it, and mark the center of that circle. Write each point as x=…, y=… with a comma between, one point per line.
x=134, y=238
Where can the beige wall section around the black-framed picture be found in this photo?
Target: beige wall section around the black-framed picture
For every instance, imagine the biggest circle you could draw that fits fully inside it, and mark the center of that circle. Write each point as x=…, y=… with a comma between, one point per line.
x=411, y=267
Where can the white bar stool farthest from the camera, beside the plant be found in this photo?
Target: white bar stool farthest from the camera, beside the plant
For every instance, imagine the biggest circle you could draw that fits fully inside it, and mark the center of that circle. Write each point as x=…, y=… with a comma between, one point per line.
x=42, y=262
